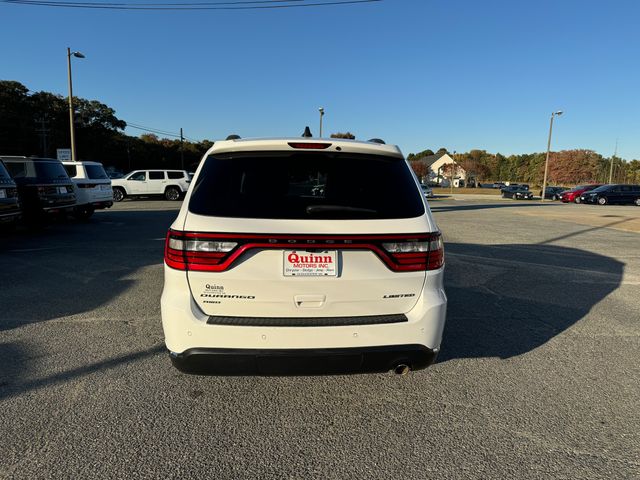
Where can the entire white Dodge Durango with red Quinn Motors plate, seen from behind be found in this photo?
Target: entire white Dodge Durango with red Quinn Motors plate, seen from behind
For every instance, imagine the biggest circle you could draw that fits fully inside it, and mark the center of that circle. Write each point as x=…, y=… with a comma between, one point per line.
x=303, y=256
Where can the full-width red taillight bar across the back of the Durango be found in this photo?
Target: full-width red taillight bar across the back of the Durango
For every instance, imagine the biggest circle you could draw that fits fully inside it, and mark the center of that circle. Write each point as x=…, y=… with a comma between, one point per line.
x=217, y=252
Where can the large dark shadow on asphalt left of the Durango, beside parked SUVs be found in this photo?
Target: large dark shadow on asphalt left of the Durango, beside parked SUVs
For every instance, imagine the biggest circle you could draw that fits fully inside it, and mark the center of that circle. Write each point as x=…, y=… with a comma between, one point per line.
x=68, y=269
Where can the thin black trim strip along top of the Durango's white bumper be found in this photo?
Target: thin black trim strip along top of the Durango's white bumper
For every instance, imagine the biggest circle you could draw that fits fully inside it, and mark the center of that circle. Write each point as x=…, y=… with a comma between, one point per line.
x=306, y=321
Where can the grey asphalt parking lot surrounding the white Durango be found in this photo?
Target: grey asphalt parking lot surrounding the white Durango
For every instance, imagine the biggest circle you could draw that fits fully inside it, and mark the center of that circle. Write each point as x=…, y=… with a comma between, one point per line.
x=538, y=377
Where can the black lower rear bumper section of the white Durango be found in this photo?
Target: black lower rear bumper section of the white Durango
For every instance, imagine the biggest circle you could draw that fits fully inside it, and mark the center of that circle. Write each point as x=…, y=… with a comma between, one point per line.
x=326, y=361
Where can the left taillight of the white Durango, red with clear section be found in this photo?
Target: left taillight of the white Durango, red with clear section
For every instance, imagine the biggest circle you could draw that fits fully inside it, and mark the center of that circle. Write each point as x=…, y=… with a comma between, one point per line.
x=191, y=252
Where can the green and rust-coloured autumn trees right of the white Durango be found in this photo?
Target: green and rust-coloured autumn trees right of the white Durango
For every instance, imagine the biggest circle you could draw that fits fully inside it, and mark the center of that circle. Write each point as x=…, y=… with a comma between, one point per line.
x=566, y=167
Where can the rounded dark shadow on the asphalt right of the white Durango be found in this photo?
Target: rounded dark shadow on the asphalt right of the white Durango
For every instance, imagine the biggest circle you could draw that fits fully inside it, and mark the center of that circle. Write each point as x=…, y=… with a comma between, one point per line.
x=506, y=300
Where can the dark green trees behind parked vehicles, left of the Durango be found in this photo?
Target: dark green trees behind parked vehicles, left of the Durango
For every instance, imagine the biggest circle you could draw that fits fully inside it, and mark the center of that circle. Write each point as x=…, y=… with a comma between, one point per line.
x=38, y=123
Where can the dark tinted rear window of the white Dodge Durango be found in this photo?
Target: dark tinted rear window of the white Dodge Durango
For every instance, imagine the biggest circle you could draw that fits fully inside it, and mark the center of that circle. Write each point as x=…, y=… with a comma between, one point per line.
x=307, y=185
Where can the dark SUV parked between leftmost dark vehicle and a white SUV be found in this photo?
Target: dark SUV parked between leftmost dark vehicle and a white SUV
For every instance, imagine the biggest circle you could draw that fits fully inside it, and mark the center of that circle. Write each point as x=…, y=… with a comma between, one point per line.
x=43, y=186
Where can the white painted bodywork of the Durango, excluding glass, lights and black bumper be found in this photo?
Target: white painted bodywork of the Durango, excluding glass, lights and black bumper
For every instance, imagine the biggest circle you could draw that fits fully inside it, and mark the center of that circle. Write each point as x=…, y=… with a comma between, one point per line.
x=359, y=289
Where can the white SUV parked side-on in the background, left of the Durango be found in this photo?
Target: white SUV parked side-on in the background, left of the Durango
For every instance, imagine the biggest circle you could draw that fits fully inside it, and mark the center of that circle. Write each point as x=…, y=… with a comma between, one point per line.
x=172, y=184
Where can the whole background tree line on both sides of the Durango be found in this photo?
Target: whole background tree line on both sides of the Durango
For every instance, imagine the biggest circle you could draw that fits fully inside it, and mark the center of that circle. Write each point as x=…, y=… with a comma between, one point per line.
x=38, y=123
